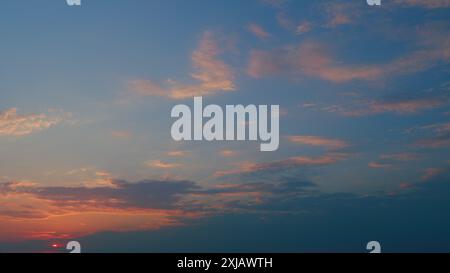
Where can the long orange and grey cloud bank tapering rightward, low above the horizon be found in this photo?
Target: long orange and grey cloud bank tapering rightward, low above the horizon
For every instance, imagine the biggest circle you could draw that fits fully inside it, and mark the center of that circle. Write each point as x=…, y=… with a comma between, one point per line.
x=30, y=211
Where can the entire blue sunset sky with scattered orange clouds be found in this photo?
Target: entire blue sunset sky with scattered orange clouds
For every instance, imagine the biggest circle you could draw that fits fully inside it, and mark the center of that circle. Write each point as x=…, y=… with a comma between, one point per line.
x=86, y=152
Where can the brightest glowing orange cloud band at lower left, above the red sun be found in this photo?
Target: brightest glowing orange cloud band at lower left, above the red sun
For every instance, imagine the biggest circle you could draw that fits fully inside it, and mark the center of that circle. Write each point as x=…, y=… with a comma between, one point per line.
x=76, y=224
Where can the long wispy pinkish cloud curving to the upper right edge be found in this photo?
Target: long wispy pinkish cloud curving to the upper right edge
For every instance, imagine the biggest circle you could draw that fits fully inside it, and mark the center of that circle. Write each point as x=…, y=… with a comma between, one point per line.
x=314, y=59
